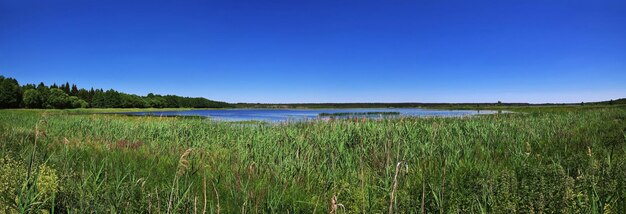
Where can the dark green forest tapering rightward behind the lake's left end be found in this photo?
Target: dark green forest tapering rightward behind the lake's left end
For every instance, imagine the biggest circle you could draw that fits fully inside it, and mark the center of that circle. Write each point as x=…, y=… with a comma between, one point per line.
x=14, y=95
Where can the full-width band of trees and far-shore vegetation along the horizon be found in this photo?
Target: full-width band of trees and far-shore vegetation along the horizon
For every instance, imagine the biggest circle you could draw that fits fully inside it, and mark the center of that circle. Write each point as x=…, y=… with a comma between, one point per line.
x=69, y=96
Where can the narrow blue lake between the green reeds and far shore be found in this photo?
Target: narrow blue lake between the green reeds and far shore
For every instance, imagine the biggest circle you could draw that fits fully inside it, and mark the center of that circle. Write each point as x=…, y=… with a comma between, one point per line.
x=279, y=115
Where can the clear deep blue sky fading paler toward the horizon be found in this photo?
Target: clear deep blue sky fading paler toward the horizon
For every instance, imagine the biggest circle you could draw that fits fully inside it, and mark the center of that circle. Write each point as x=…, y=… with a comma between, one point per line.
x=323, y=50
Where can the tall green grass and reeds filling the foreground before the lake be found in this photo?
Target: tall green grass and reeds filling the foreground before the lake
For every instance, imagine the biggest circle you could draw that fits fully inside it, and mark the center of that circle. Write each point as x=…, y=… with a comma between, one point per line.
x=545, y=160
